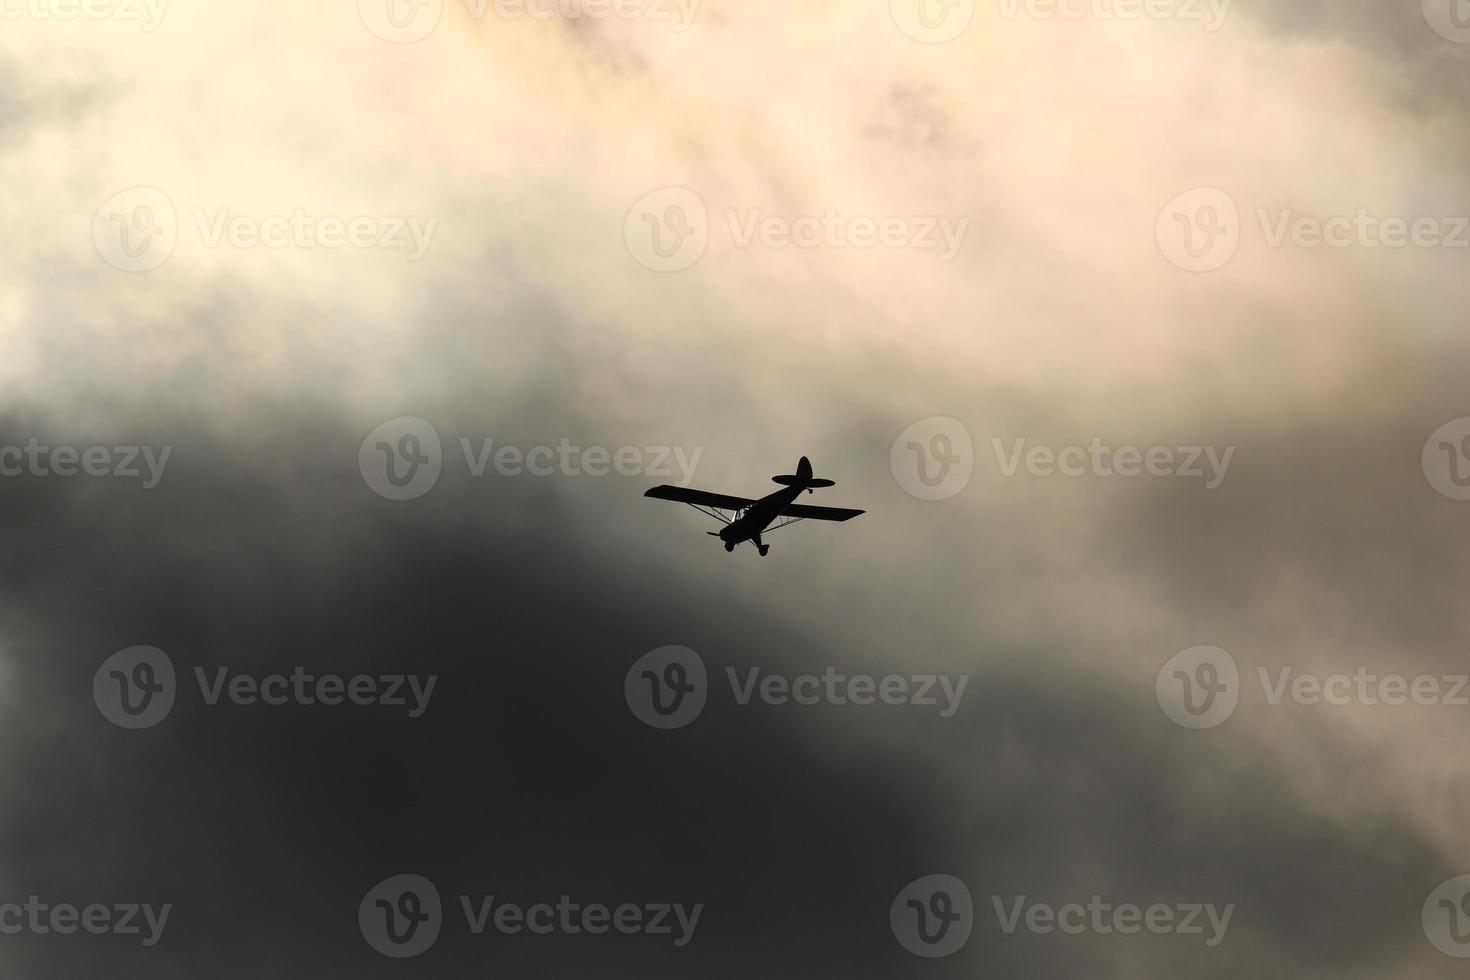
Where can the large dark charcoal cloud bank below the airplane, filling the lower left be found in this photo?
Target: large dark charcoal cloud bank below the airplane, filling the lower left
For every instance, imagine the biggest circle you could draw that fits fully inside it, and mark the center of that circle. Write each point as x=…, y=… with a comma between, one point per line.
x=531, y=779
